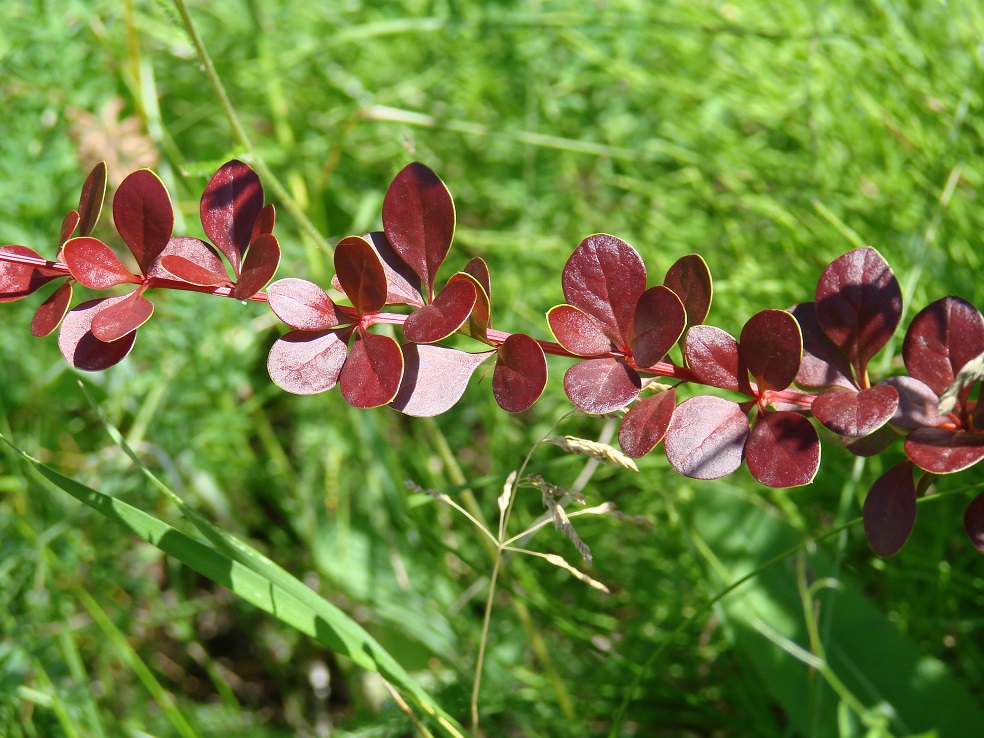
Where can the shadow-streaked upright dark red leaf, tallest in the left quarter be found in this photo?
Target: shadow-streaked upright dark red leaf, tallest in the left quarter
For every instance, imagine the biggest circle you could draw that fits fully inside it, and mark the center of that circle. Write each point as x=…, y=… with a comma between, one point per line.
x=230, y=204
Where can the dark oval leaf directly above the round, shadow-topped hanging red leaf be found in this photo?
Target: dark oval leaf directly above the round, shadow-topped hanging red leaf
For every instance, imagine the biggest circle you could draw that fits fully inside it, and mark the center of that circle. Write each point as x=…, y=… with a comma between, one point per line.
x=771, y=347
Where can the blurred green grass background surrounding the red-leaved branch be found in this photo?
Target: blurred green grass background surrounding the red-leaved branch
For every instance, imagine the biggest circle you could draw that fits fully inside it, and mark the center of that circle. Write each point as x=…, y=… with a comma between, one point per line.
x=770, y=138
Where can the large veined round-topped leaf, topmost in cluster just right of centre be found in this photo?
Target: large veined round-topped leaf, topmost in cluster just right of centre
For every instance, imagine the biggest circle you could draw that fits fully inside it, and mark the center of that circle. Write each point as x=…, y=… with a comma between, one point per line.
x=604, y=277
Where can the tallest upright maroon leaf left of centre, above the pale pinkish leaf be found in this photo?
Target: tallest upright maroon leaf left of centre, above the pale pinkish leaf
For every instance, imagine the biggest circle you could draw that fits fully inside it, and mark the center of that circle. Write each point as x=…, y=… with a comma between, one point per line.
x=418, y=219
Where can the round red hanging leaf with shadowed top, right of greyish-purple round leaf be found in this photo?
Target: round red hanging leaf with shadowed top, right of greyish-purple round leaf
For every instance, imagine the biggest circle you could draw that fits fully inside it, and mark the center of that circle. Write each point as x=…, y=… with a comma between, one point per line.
x=783, y=450
